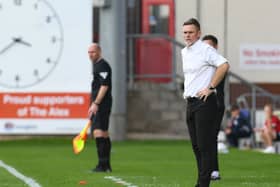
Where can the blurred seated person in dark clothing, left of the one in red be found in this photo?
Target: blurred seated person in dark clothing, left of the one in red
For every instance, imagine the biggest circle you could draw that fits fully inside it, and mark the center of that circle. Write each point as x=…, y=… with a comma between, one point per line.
x=239, y=127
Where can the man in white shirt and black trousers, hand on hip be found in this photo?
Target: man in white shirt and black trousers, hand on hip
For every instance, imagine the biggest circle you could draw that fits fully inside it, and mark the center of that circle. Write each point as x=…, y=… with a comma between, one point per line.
x=203, y=70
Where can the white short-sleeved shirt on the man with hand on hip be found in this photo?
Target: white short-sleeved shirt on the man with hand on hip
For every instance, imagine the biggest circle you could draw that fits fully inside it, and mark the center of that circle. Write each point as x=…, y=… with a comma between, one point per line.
x=200, y=61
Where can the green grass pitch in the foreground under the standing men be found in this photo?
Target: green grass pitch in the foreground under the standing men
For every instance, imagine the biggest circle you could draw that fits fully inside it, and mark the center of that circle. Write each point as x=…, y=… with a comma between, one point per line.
x=51, y=163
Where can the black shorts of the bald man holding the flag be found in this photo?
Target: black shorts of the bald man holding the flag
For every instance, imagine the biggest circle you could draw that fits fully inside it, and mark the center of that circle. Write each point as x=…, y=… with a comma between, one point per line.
x=100, y=120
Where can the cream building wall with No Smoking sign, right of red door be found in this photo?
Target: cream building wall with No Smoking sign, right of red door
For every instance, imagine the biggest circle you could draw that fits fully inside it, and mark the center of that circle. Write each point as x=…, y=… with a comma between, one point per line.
x=239, y=24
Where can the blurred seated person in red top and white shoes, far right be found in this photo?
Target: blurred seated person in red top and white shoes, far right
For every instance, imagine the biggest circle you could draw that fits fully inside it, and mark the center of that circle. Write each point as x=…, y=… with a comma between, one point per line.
x=271, y=129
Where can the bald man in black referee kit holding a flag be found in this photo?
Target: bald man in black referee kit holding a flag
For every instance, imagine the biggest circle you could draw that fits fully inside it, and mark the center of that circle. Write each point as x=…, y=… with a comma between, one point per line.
x=100, y=108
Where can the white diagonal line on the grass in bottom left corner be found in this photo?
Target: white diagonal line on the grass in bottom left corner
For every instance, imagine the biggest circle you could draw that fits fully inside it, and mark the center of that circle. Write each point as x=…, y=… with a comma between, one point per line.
x=29, y=181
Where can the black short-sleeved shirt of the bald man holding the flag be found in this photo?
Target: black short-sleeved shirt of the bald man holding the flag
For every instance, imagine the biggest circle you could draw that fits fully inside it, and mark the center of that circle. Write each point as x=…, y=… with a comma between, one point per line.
x=102, y=75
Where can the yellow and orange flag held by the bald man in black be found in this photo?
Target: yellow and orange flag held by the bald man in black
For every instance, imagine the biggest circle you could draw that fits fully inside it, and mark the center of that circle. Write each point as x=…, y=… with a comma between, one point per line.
x=79, y=140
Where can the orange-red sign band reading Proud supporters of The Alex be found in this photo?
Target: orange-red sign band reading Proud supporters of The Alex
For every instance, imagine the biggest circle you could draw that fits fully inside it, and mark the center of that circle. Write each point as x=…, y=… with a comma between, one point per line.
x=44, y=105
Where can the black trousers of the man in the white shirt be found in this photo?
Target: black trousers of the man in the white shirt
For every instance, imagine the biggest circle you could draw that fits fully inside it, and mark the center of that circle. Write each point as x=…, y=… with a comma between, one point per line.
x=201, y=118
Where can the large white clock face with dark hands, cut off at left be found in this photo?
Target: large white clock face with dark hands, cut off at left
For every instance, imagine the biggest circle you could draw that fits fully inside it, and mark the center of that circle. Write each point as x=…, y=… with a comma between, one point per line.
x=31, y=42
